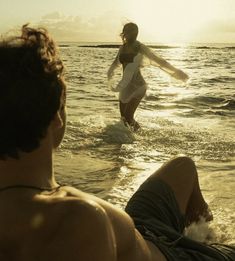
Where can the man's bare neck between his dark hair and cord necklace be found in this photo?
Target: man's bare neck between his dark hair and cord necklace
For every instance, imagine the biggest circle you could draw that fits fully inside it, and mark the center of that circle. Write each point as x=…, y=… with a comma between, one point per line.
x=32, y=169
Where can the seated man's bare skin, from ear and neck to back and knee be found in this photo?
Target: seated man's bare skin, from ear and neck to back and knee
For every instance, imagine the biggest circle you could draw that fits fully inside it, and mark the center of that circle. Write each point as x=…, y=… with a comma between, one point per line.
x=68, y=224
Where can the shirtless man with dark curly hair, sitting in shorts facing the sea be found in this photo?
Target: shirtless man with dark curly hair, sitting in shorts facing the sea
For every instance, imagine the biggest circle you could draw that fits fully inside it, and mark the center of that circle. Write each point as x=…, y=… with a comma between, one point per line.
x=41, y=220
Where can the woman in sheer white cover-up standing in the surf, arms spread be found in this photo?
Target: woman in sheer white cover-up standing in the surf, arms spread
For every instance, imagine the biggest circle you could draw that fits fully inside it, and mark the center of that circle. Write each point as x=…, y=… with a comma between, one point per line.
x=132, y=86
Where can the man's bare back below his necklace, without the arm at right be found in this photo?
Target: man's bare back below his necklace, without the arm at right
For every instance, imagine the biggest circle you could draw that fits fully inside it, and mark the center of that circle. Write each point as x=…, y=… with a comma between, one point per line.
x=66, y=227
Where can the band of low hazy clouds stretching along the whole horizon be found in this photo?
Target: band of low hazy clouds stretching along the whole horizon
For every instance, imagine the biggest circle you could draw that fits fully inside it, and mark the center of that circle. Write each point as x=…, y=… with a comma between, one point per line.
x=106, y=27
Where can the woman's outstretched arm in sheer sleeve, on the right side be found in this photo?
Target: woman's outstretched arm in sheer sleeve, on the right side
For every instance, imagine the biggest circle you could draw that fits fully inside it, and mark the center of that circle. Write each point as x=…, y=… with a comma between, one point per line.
x=163, y=64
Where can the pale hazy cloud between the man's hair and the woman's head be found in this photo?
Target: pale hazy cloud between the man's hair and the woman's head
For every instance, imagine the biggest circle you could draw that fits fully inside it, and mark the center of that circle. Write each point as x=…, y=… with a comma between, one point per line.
x=105, y=27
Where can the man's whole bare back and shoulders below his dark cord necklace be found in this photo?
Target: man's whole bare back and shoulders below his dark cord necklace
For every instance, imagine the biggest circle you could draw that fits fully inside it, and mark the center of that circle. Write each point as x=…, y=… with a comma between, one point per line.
x=49, y=225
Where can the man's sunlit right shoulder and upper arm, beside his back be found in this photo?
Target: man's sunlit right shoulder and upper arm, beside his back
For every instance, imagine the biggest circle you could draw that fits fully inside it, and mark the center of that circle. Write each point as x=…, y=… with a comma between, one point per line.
x=129, y=243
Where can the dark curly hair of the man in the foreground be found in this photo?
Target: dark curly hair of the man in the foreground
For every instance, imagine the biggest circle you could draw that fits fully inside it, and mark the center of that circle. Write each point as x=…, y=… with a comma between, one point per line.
x=31, y=86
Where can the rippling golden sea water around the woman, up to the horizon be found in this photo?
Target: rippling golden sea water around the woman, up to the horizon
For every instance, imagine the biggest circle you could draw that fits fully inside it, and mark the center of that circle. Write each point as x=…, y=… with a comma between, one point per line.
x=101, y=156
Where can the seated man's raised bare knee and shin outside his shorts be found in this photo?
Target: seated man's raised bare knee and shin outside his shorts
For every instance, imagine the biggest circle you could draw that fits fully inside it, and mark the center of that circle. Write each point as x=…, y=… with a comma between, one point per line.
x=181, y=175
